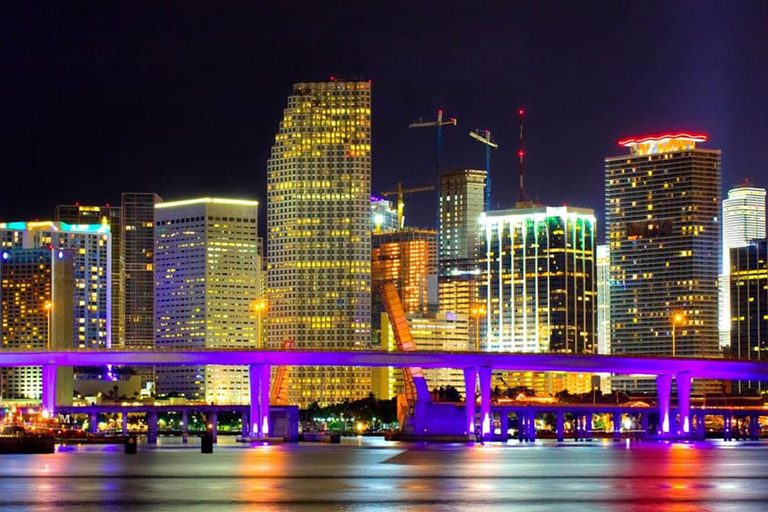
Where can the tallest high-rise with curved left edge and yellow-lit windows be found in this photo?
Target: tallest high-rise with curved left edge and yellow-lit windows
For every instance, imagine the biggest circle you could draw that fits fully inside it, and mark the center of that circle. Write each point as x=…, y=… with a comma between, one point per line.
x=319, y=234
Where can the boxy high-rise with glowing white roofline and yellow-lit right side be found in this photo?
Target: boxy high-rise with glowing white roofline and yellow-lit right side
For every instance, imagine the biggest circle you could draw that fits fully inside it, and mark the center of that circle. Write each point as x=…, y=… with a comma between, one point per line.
x=206, y=284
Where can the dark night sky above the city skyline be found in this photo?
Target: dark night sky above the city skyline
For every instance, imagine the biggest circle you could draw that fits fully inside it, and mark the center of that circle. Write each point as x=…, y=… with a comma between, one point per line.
x=184, y=98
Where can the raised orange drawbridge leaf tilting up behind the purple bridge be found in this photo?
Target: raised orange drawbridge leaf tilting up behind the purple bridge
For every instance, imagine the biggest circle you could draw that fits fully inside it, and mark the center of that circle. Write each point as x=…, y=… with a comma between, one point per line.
x=413, y=378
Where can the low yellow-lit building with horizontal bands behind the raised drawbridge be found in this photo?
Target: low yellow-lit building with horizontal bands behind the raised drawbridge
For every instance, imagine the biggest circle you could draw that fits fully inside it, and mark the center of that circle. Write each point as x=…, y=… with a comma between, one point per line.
x=440, y=331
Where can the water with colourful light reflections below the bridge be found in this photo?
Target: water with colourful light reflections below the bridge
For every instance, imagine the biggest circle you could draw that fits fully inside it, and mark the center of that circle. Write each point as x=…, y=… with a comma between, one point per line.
x=372, y=474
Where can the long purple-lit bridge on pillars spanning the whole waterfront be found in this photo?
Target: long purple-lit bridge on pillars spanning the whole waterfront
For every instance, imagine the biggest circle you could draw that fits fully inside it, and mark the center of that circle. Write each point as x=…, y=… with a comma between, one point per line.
x=476, y=366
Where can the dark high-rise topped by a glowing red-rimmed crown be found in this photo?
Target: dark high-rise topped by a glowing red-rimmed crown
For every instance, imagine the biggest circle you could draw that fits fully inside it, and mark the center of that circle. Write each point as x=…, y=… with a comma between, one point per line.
x=663, y=228
